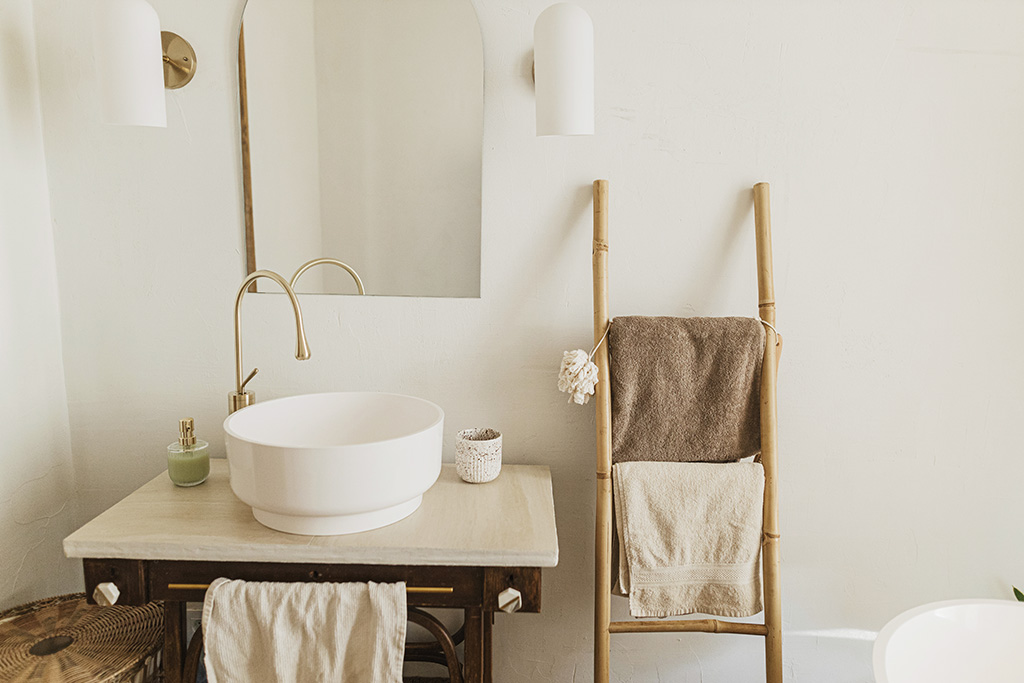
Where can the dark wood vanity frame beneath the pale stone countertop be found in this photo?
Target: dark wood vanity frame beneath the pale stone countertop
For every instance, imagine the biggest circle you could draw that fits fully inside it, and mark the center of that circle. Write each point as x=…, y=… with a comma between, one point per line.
x=475, y=590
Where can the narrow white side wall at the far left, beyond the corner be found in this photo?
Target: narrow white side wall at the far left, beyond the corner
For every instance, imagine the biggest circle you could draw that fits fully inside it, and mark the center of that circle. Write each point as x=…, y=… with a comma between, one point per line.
x=37, y=486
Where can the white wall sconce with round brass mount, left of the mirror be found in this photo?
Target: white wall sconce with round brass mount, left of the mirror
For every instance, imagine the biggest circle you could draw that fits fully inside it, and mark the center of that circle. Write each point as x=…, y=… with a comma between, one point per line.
x=136, y=62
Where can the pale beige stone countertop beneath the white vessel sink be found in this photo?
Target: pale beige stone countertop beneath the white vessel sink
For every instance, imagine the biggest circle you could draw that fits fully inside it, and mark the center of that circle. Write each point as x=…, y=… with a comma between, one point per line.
x=507, y=523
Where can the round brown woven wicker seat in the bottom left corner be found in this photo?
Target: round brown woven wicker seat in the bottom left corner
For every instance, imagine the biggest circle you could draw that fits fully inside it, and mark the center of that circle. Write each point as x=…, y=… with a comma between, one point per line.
x=65, y=639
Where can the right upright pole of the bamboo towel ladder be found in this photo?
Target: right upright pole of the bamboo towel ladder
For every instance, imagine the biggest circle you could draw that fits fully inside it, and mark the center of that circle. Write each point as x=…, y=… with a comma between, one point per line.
x=770, y=439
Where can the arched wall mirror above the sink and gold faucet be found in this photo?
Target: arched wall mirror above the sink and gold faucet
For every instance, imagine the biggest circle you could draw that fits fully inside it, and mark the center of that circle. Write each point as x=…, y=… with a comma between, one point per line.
x=362, y=127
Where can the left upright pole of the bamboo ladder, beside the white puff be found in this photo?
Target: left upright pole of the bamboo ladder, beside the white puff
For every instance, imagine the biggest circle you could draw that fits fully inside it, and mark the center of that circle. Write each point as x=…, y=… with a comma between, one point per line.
x=603, y=531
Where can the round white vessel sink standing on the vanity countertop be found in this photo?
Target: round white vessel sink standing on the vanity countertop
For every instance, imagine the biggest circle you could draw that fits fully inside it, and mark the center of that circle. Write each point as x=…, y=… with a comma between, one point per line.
x=326, y=464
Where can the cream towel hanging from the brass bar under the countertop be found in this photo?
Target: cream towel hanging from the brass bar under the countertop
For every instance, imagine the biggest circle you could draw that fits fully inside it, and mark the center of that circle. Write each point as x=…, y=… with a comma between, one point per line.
x=305, y=633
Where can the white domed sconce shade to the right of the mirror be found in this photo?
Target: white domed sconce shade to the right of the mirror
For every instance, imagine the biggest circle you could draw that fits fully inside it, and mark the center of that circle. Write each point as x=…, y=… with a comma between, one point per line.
x=564, y=70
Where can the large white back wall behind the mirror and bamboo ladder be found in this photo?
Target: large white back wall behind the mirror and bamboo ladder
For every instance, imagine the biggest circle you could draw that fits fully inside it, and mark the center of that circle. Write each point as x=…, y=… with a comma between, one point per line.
x=891, y=135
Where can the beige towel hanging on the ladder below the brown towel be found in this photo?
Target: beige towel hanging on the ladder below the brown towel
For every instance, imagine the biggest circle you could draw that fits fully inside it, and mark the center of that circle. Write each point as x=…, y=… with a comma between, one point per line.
x=690, y=537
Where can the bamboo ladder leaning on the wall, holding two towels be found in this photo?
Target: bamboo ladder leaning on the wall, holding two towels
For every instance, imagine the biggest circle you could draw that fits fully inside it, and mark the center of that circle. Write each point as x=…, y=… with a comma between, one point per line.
x=772, y=630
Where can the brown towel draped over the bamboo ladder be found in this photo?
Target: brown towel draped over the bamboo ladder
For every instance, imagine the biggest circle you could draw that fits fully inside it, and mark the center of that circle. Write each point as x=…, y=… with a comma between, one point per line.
x=686, y=390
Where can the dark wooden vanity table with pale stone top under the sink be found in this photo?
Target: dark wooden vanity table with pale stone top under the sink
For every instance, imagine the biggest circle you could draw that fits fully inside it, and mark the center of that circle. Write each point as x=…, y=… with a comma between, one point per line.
x=465, y=545
